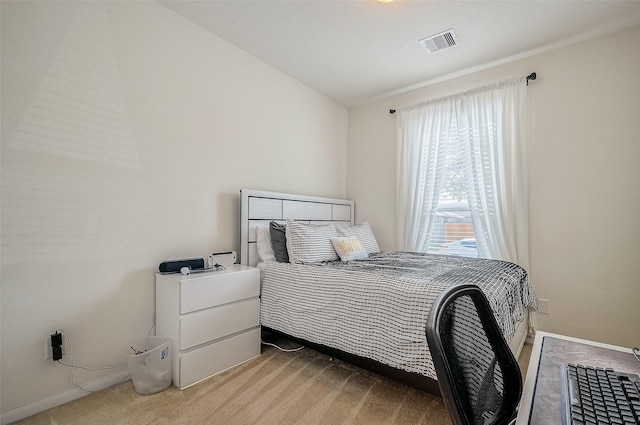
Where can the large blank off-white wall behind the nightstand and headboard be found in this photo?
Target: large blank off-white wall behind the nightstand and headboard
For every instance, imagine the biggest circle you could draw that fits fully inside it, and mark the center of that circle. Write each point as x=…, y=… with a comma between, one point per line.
x=127, y=133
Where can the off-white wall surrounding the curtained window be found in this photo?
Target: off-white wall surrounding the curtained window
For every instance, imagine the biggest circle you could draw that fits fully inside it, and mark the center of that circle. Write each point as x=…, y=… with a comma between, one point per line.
x=584, y=180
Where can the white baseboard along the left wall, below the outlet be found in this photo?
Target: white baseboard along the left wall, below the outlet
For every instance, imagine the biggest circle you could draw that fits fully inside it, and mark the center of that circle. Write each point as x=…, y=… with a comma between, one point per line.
x=31, y=409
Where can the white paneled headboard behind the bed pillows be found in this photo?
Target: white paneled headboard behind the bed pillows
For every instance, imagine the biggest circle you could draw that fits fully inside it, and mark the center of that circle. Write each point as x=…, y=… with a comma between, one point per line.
x=259, y=208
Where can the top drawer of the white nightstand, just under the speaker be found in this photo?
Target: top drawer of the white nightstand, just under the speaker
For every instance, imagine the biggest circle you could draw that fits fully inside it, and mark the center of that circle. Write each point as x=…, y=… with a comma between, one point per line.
x=210, y=290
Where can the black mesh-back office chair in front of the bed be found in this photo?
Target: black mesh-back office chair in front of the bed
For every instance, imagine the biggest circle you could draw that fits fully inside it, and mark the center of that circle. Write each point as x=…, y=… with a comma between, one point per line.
x=478, y=376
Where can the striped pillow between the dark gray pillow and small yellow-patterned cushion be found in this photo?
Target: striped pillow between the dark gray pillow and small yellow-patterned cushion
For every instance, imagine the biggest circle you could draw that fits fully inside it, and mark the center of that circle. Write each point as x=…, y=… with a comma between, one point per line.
x=308, y=243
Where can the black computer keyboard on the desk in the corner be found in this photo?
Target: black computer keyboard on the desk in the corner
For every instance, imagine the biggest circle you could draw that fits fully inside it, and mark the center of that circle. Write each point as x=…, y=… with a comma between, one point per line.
x=594, y=395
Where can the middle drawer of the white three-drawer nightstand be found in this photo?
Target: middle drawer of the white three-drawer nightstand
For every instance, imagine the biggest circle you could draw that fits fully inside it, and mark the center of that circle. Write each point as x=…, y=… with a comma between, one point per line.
x=213, y=323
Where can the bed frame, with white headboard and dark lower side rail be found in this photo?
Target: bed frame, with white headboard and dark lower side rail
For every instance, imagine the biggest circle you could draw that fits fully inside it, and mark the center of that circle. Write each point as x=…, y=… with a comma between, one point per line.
x=260, y=208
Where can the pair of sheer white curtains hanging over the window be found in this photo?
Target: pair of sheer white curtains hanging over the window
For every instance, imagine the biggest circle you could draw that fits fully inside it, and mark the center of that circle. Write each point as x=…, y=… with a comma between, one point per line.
x=491, y=125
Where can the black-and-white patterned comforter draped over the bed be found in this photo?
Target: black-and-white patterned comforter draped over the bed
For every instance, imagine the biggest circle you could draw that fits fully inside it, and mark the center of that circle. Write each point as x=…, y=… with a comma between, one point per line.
x=377, y=307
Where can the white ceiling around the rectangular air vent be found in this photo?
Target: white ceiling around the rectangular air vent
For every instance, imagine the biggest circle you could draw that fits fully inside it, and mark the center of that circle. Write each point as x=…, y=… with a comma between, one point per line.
x=358, y=51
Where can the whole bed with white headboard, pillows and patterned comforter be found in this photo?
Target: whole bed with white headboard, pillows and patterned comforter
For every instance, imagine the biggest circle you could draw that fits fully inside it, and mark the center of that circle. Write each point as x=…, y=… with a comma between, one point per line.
x=370, y=309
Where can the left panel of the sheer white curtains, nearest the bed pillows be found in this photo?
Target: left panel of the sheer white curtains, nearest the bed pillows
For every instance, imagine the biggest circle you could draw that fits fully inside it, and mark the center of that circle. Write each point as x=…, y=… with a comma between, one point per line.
x=423, y=134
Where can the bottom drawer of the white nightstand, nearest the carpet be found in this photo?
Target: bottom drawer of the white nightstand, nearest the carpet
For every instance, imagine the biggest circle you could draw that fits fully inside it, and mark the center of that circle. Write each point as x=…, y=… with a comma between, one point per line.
x=215, y=358
